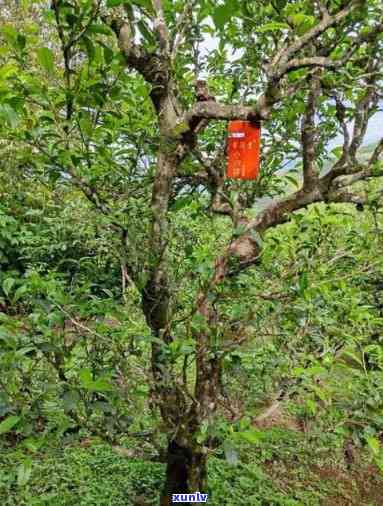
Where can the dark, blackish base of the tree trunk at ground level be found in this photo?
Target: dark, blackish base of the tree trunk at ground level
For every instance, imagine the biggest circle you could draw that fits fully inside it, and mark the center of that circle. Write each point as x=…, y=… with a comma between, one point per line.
x=186, y=472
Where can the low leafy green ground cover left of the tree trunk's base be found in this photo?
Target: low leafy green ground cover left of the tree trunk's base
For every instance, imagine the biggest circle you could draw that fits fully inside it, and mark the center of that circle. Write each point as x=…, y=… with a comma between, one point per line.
x=75, y=475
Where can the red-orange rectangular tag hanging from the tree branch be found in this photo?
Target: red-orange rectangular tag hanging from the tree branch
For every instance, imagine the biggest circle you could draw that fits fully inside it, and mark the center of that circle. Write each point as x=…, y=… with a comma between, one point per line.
x=243, y=149
